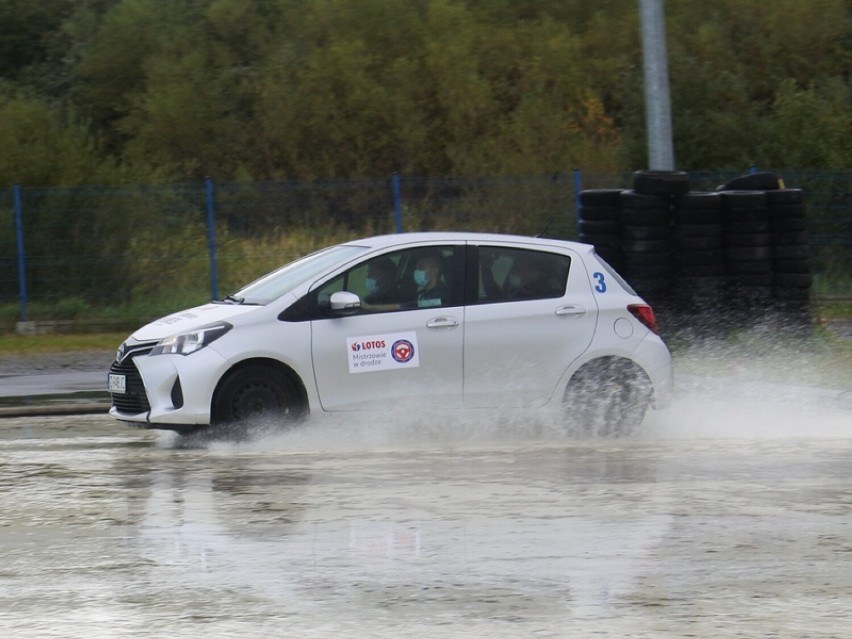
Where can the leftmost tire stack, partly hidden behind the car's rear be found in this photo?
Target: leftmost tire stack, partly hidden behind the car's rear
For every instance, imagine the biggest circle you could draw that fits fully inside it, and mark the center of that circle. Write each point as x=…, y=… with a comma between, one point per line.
x=599, y=223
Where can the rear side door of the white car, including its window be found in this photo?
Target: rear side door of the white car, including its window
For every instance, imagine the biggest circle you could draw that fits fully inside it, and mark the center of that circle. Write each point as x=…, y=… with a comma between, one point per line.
x=518, y=344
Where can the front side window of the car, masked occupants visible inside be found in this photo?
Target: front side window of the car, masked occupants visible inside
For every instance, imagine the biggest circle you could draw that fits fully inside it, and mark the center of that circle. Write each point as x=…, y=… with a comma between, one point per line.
x=402, y=280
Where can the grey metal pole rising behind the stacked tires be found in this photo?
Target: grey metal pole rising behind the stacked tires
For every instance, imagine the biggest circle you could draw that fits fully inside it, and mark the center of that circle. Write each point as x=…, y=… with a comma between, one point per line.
x=657, y=102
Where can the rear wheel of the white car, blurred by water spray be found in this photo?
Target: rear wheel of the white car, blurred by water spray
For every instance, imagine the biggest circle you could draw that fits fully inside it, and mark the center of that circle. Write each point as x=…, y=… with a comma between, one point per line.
x=607, y=397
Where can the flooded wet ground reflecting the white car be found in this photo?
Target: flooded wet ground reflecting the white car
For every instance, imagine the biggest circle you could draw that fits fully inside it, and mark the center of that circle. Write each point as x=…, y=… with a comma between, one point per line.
x=428, y=530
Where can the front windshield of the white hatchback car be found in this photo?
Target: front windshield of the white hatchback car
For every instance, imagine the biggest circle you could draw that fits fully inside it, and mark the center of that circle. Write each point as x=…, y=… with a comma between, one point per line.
x=282, y=280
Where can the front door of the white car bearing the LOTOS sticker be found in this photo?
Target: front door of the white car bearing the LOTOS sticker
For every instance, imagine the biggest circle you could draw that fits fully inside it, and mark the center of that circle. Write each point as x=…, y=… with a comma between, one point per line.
x=397, y=353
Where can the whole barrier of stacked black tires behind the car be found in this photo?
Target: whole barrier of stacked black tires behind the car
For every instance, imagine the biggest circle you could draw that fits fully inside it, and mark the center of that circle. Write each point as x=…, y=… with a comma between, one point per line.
x=708, y=261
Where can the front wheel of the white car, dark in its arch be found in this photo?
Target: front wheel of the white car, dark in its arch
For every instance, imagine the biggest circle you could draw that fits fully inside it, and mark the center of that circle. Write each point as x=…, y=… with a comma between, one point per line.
x=257, y=391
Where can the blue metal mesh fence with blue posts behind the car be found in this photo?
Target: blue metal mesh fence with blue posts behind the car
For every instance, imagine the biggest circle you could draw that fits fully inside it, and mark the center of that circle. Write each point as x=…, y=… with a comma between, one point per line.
x=115, y=245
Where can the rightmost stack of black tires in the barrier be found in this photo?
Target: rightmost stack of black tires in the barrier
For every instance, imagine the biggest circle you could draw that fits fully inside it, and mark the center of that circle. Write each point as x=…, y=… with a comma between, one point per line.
x=790, y=257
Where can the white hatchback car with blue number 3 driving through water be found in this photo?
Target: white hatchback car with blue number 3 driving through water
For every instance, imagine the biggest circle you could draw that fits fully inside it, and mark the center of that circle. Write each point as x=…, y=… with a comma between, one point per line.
x=402, y=323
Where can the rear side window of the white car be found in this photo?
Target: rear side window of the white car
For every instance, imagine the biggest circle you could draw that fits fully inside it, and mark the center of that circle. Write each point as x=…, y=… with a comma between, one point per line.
x=509, y=274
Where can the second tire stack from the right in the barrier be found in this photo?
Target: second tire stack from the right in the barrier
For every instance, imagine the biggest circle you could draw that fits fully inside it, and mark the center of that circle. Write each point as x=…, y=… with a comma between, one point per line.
x=748, y=254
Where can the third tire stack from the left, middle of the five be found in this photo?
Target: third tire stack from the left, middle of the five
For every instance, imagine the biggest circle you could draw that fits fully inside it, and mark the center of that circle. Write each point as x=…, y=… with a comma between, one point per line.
x=698, y=259
